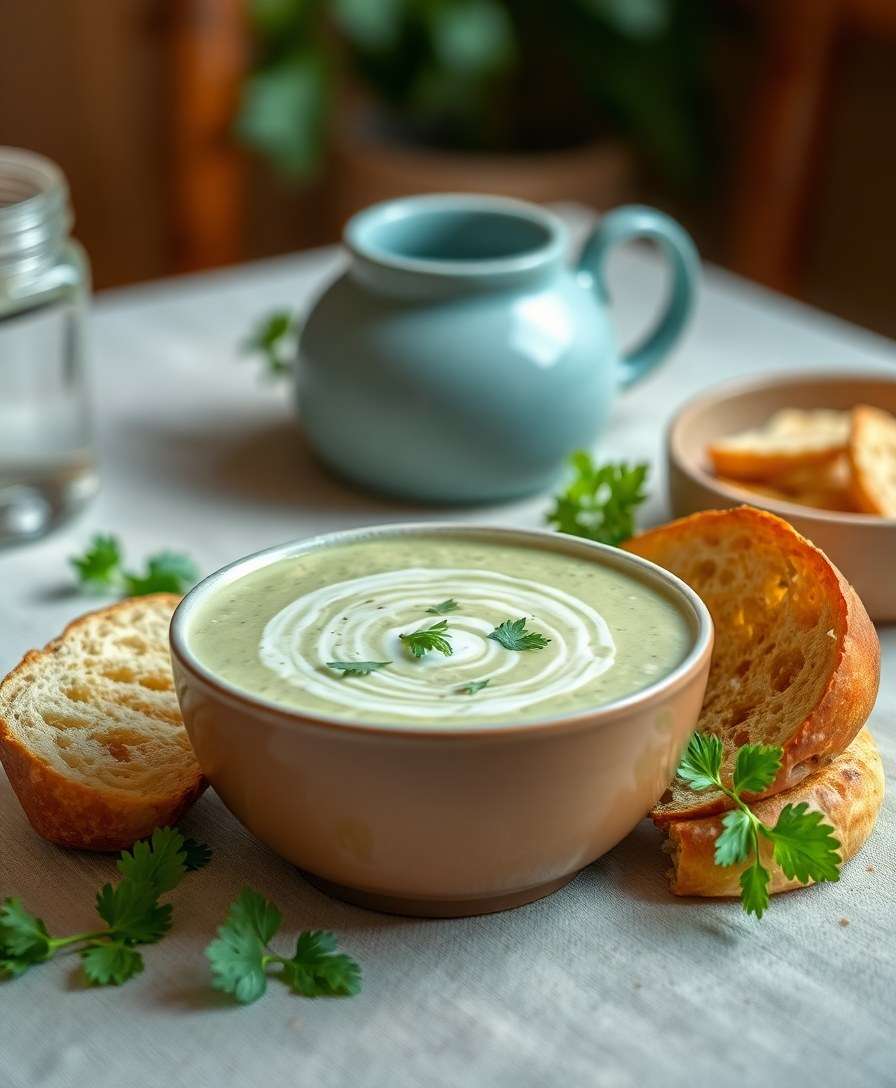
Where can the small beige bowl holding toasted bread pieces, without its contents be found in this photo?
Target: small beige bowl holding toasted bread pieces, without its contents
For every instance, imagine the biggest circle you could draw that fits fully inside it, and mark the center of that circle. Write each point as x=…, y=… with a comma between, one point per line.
x=863, y=547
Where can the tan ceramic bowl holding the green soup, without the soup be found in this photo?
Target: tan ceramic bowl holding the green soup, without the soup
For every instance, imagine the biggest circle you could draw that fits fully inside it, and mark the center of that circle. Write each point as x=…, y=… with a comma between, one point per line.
x=442, y=821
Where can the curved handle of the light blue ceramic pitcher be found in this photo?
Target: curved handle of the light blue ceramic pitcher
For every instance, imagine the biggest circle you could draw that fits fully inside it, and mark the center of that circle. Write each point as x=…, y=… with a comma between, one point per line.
x=638, y=221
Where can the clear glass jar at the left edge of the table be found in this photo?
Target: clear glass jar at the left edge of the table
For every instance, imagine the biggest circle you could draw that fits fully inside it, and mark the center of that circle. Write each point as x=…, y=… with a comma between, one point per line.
x=47, y=466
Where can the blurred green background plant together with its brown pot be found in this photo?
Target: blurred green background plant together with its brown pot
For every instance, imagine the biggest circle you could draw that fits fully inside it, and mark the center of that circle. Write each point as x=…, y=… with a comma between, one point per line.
x=546, y=102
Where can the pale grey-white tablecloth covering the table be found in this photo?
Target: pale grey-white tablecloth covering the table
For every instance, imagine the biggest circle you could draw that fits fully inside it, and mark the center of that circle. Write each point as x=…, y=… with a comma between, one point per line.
x=612, y=982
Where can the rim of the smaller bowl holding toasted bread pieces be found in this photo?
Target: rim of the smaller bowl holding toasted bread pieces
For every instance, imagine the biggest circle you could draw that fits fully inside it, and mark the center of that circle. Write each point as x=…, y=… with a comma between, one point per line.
x=740, y=387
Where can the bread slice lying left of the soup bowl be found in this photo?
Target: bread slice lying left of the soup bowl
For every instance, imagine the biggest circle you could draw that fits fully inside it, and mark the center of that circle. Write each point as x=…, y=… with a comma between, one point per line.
x=91, y=732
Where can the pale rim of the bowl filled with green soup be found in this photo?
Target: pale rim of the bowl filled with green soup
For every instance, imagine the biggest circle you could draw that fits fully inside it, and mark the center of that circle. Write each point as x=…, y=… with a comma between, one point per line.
x=688, y=601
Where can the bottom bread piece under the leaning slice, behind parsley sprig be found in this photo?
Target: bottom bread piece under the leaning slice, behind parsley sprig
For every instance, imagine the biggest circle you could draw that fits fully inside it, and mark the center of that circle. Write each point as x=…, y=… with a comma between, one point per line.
x=850, y=792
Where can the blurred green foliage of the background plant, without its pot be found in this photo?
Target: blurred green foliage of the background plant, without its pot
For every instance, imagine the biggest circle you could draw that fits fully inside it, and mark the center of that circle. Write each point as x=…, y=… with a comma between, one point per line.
x=501, y=76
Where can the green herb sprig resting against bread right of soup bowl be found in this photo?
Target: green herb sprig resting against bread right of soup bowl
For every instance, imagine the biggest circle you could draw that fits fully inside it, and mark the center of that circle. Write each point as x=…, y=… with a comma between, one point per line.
x=803, y=845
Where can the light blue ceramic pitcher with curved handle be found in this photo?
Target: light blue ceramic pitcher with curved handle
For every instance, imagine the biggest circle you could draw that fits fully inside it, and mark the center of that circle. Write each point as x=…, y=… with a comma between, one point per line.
x=461, y=358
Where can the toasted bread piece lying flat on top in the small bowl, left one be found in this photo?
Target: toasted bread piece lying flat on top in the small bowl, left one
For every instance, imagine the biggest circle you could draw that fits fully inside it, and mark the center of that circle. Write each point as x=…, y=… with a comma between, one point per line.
x=789, y=440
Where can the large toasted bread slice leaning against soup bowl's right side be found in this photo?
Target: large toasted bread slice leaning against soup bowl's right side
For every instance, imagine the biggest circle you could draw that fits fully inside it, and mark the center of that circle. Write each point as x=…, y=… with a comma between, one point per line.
x=797, y=661
